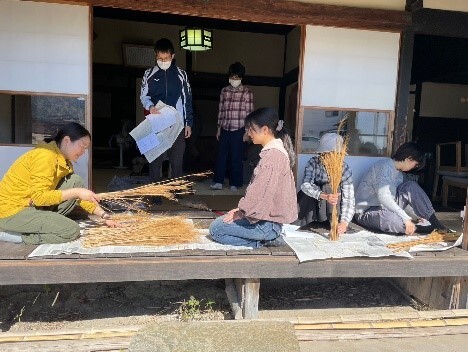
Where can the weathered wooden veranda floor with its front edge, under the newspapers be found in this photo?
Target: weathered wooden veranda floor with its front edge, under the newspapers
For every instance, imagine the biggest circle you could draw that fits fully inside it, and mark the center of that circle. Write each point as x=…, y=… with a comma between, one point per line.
x=278, y=262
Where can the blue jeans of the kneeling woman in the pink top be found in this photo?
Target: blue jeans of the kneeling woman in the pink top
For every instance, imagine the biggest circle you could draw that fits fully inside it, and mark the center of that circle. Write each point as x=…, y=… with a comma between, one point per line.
x=242, y=233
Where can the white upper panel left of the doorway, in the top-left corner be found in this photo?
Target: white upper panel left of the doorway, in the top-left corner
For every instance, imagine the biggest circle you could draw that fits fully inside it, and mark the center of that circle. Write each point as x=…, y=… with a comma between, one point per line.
x=44, y=47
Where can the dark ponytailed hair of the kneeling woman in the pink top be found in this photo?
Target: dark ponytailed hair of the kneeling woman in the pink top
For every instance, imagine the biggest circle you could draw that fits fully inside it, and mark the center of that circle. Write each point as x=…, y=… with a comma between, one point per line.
x=269, y=117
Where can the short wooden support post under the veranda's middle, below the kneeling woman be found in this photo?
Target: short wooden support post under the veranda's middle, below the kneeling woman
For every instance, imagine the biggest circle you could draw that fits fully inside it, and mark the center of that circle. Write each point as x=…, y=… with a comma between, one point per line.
x=243, y=296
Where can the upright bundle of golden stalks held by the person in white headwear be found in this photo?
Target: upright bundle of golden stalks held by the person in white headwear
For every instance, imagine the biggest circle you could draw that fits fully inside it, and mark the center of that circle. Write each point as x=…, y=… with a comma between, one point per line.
x=333, y=163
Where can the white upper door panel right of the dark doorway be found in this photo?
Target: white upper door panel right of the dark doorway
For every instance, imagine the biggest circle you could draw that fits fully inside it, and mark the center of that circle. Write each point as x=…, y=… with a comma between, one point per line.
x=350, y=68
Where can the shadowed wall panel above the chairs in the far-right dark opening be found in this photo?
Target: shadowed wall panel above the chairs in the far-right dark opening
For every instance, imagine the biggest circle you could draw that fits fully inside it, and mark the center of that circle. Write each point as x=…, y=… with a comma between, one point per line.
x=444, y=100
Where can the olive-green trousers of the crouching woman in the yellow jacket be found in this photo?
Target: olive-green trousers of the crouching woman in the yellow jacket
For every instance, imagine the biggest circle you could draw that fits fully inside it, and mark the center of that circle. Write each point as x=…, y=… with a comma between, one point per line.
x=47, y=224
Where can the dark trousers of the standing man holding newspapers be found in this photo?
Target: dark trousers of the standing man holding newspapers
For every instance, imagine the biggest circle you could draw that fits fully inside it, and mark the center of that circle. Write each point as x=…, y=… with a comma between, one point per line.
x=176, y=160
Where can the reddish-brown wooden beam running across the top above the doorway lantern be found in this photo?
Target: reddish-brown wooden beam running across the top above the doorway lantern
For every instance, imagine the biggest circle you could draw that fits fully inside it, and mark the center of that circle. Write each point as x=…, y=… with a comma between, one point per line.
x=270, y=11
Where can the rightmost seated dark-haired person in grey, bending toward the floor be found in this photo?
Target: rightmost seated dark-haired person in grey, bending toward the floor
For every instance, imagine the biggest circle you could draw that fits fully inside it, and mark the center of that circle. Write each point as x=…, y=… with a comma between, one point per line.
x=384, y=201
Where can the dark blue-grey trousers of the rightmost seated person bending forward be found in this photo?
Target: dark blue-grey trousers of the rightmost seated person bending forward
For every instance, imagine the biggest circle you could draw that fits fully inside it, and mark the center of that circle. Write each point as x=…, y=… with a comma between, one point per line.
x=383, y=220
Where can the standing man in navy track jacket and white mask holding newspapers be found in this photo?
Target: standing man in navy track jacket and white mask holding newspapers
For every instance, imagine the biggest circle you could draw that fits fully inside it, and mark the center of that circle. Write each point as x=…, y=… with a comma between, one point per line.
x=168, y=83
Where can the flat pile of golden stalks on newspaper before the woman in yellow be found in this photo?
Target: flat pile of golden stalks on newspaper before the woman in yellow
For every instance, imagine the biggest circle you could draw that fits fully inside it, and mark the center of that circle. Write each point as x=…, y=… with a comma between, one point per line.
x=142, y=229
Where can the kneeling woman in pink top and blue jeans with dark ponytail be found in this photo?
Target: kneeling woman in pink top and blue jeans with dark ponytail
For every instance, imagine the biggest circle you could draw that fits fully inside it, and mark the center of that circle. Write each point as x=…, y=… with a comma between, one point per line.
x=270, y=198
